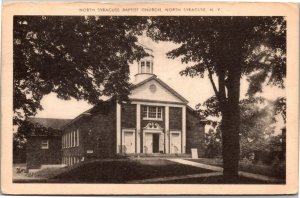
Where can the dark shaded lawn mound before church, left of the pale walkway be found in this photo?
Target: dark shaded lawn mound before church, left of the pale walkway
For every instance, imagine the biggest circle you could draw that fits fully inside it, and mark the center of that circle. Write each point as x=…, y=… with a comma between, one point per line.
x=118, y=171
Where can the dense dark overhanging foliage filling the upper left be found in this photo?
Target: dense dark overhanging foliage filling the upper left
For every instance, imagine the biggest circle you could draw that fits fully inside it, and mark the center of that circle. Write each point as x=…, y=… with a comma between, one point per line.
x=80, y=57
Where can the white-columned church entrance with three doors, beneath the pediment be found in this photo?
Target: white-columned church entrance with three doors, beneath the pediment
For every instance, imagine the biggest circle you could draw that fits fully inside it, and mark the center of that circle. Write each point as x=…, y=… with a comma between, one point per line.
x=153, y=135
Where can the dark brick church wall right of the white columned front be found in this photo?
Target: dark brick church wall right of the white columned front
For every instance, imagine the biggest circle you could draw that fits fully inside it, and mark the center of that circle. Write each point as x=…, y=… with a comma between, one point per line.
x=195, y=133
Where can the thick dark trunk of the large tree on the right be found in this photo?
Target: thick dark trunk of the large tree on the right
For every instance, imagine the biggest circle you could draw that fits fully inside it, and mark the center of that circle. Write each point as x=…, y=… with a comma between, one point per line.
x=230, y=125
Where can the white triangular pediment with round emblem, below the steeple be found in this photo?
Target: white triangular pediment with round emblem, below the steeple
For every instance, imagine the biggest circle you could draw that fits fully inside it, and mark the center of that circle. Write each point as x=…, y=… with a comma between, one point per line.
x=155, y=89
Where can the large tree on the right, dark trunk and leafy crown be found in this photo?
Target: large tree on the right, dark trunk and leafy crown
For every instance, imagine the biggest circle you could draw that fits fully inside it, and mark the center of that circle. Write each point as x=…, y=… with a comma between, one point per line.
x=229, y=48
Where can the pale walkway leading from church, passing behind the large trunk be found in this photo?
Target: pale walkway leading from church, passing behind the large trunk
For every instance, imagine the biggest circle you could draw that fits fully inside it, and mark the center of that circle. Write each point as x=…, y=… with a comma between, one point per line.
x=219, y=169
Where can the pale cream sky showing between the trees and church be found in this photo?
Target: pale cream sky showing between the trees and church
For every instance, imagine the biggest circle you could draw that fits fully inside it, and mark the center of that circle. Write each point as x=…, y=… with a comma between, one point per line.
x=195, y=90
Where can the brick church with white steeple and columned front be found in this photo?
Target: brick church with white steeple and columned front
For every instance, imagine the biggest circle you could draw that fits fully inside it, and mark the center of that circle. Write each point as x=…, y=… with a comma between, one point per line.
x=156, y=121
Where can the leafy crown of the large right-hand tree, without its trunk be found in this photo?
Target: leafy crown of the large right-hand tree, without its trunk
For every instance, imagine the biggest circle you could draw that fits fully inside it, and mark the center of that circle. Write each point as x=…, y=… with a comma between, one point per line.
x=257, y=45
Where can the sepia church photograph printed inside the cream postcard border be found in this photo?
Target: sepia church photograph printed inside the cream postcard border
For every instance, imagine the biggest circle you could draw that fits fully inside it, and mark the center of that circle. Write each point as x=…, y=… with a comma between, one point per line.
x=122, y=99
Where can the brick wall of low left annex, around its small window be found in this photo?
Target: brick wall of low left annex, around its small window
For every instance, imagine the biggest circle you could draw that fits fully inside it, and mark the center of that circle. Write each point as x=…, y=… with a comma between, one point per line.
x=36, y=156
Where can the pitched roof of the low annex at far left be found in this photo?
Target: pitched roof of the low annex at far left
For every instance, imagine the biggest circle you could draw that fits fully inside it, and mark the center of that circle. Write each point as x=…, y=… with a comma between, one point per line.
x=53, y=123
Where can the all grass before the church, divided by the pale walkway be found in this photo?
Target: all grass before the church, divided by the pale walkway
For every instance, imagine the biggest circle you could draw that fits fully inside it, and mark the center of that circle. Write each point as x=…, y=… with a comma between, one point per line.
x=125, y=170
